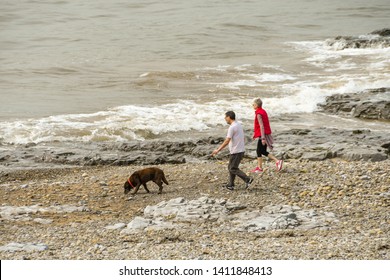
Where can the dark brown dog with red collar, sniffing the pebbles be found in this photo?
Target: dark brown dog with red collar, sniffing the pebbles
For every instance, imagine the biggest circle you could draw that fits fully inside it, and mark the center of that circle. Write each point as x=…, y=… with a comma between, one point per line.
x=141, y=177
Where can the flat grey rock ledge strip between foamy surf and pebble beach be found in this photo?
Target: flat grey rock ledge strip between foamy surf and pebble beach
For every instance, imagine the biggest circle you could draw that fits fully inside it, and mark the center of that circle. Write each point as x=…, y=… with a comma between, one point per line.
x=314, y=144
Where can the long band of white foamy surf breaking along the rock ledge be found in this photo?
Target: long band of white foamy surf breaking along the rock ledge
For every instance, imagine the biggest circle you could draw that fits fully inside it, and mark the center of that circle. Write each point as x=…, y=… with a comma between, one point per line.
x=134, y=122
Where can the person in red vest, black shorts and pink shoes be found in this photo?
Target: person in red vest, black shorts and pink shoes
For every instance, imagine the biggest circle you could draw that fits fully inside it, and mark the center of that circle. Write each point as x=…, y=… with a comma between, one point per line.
x=262, y=130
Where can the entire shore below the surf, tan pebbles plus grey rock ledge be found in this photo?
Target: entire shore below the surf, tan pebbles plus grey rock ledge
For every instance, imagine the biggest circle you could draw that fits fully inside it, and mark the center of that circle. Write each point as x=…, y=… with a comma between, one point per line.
x=330, y=201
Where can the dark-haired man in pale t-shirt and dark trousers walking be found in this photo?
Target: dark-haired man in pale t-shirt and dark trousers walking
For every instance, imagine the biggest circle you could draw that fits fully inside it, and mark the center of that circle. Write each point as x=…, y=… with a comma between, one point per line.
x=236, y=140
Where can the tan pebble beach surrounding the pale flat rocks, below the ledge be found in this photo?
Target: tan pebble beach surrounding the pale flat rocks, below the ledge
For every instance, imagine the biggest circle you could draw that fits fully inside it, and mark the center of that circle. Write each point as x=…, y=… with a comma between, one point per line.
x=355, y=196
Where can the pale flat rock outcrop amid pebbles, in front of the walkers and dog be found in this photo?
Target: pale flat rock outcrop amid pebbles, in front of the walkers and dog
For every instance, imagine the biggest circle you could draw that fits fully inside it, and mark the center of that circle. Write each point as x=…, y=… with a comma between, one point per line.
x=179, y=214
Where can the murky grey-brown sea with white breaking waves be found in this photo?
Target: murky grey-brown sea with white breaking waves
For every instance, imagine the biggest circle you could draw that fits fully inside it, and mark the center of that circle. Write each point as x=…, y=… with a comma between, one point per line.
x=122, y=70
